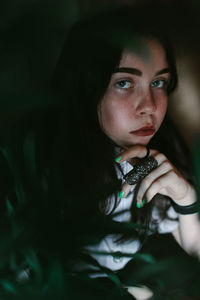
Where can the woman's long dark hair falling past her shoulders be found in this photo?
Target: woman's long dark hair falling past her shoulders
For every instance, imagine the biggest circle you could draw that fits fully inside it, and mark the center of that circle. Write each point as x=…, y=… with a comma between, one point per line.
x=92, y=51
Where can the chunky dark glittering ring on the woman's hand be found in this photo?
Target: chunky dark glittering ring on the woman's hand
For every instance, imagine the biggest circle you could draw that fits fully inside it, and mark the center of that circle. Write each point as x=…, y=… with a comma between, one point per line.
x=141, y=170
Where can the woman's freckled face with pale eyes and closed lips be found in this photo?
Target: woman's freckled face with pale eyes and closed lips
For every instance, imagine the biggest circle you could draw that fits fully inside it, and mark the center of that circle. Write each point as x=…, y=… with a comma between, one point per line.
x=136, y=99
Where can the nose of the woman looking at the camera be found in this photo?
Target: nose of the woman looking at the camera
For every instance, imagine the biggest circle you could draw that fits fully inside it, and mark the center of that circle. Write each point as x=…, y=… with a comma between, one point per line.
x=146, y=103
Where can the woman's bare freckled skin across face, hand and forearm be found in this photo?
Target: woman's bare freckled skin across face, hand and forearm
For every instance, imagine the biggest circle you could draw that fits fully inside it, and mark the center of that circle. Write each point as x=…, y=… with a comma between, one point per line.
x=132, y=102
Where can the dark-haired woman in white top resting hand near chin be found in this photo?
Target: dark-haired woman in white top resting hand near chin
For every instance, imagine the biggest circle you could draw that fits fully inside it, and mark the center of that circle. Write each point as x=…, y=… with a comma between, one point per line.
x=115, y=74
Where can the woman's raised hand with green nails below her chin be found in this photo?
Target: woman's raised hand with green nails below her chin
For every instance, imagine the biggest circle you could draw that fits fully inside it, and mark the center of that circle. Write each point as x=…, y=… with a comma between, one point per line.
x=165, y=179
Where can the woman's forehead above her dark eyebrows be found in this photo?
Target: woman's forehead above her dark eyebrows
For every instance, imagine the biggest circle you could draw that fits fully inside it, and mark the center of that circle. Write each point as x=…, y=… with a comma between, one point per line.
x=147, y=54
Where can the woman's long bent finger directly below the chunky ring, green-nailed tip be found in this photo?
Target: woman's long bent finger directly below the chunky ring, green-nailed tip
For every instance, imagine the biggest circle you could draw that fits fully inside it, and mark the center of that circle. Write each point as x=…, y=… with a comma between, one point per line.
x=162, y=169
